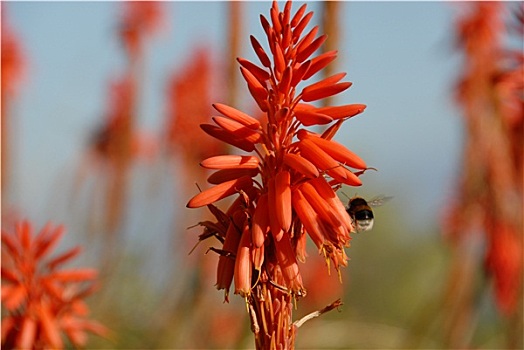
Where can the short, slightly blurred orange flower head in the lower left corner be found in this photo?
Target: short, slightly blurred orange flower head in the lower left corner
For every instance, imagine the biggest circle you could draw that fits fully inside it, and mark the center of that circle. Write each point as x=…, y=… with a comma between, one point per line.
x=41, y=301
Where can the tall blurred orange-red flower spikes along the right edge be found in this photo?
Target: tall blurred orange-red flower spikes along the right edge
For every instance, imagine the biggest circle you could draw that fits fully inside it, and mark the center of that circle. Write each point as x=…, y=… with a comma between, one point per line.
x=484, y=222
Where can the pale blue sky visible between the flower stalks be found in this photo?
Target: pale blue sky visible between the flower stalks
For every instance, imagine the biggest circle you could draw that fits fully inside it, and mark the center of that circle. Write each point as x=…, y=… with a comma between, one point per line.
x=399, y=56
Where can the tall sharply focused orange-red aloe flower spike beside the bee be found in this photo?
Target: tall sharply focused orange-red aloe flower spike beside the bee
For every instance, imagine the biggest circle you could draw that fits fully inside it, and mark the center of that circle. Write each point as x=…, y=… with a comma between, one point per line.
x=288, y=188
